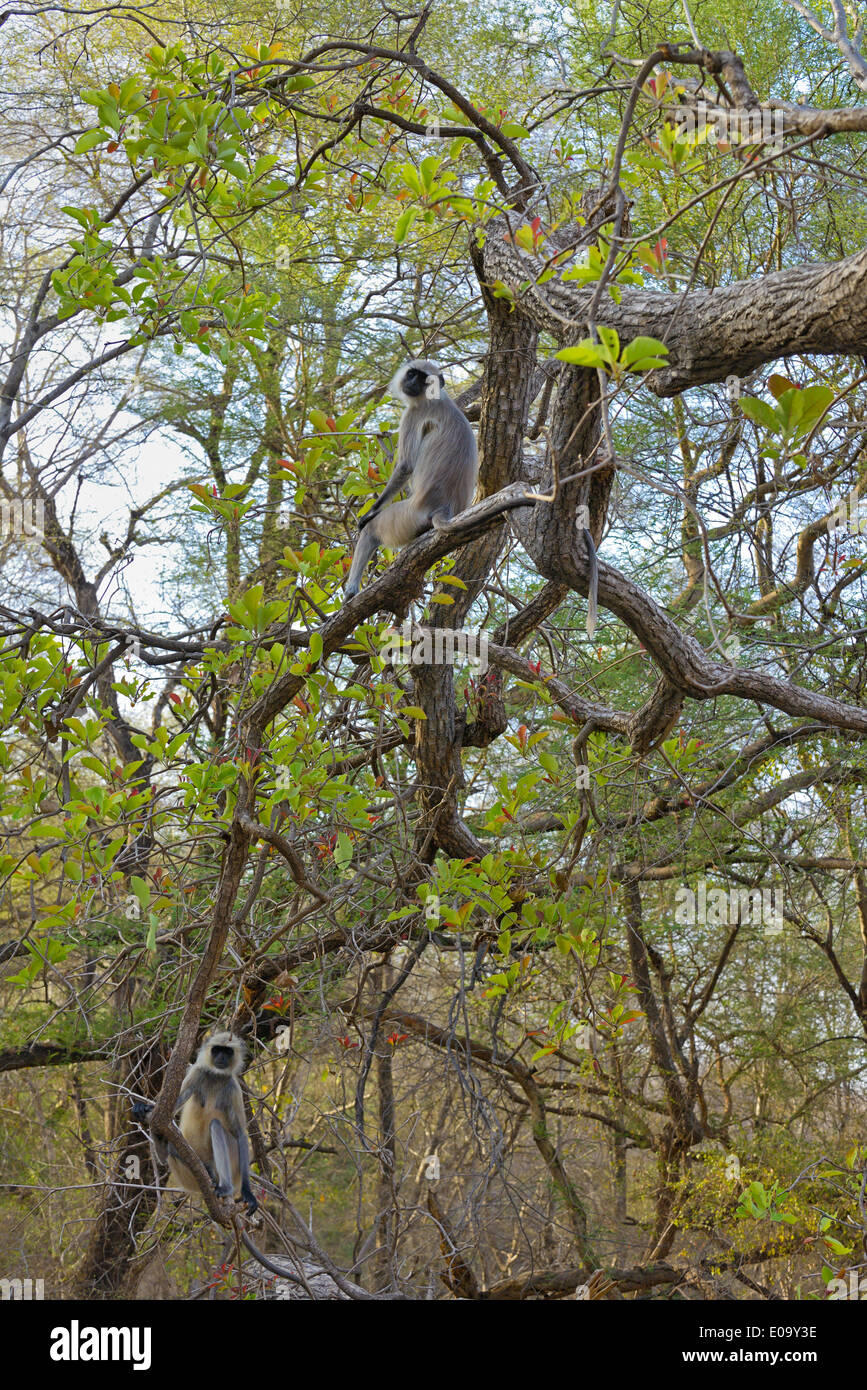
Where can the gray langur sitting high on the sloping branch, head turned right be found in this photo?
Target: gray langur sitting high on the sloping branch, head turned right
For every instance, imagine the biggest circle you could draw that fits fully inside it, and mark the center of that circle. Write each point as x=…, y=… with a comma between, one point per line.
x=437, y=451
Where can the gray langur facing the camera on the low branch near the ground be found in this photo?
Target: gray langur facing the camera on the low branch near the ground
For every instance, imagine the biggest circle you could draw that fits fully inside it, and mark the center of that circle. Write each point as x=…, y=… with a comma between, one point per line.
x=212, y=1121
